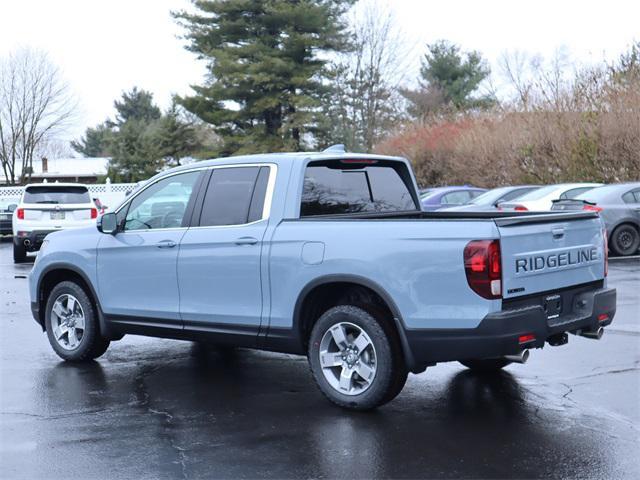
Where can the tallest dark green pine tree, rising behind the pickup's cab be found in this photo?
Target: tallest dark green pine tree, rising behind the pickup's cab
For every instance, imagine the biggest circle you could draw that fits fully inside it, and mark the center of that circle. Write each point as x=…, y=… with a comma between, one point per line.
x=265, y=66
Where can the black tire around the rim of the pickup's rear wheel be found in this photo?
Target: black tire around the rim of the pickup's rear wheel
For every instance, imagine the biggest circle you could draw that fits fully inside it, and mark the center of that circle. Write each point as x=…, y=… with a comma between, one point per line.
x=391, y=373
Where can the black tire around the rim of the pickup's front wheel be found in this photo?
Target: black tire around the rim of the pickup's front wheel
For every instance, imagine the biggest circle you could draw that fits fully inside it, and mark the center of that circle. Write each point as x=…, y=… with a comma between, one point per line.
x=92, y=345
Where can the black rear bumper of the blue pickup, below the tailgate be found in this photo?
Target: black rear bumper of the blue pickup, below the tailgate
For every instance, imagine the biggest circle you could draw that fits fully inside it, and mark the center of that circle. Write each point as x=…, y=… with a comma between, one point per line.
x=498, y=333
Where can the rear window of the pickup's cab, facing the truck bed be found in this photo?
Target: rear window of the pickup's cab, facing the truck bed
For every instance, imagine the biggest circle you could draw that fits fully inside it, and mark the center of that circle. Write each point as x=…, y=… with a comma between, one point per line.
x=334, y=187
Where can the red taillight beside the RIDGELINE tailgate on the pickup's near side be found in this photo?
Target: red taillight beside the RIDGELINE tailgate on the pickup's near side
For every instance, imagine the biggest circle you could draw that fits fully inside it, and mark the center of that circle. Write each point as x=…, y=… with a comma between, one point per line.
x=483, y=267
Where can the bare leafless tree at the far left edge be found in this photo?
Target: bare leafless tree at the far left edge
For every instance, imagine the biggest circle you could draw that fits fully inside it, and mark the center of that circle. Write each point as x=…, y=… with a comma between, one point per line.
x=36, y=105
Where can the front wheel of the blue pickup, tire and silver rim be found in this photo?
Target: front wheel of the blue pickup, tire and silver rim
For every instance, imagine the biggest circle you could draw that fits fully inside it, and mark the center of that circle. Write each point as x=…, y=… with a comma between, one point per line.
x=72, y=324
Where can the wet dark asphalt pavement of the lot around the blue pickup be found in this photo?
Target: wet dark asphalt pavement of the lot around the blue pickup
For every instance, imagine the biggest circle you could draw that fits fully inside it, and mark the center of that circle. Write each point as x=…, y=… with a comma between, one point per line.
x=152, y=408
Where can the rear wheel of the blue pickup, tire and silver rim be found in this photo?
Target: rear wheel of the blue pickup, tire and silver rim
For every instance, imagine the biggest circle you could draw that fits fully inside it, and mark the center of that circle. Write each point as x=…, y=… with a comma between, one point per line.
x=354, y=361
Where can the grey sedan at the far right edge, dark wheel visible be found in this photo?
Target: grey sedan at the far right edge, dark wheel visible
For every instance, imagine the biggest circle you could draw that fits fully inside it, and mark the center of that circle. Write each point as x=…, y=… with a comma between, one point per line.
x=619, y=207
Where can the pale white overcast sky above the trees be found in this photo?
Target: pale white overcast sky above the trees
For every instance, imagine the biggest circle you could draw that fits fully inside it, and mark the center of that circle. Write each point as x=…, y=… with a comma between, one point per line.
x=105, y=47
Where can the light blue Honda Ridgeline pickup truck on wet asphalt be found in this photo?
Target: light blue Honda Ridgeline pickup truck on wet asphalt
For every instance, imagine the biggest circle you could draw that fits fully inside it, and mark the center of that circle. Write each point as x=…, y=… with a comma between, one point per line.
x=326, y=255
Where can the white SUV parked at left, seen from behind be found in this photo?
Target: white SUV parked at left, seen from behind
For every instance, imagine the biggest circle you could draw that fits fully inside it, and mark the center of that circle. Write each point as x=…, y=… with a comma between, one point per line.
x=46, y=208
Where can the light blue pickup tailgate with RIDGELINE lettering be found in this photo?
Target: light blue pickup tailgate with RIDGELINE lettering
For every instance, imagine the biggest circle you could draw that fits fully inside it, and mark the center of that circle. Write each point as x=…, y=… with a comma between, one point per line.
x=550, y=251
